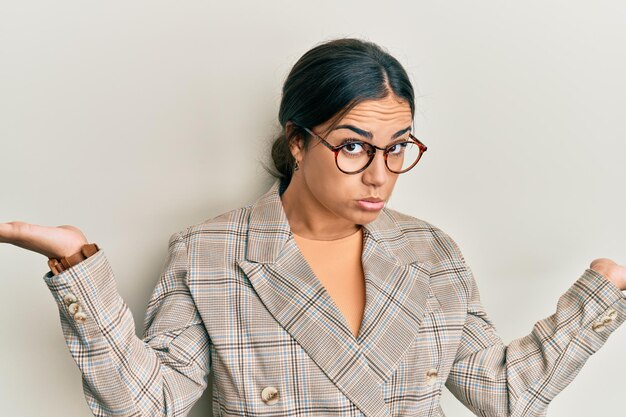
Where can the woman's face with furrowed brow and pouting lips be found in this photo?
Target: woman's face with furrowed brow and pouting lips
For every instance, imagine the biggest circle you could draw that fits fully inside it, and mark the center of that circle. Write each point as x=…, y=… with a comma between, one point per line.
x=335, y=195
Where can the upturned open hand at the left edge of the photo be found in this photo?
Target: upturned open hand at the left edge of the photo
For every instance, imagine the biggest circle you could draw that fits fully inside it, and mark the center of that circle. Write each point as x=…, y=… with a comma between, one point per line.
x=50, y=241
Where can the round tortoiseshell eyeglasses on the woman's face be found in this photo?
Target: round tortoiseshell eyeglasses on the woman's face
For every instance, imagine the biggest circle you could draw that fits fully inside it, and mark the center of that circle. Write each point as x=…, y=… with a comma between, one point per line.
x=354, y=156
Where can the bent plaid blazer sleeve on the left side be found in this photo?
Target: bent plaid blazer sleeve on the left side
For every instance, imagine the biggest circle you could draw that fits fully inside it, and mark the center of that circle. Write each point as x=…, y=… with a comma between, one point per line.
x=162, y=374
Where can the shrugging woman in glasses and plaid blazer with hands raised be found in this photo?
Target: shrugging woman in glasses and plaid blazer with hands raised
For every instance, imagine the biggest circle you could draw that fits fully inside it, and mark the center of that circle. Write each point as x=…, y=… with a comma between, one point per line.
x=316, y=299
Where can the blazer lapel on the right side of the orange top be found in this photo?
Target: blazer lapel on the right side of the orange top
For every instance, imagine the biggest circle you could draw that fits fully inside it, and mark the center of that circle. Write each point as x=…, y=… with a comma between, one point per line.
x=397, y=289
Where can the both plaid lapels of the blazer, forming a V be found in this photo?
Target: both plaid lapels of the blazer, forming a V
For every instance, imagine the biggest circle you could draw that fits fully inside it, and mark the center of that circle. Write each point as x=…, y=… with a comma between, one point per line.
x=396, y=293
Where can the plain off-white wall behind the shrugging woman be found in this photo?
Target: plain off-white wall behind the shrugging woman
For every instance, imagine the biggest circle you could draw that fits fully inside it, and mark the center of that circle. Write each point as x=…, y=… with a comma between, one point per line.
x=133, y=120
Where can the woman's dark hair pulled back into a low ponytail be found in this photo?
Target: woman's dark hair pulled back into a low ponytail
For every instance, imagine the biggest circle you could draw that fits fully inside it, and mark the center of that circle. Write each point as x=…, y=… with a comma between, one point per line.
x=327, y=82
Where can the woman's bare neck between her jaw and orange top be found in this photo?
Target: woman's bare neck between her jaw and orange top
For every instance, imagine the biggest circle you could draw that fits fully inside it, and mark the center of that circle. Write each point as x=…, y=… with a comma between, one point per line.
x=309, y=218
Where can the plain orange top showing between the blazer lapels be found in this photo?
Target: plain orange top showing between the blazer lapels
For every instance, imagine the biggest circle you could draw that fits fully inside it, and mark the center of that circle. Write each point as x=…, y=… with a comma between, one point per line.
x=337, y=264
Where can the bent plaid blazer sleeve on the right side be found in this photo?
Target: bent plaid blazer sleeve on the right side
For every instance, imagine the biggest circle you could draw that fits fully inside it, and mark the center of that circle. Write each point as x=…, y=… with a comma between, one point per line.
x=492, y=379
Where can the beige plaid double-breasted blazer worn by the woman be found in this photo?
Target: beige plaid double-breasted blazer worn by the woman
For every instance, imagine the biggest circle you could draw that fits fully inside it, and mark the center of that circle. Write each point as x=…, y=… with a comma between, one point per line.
x=237, y=297
